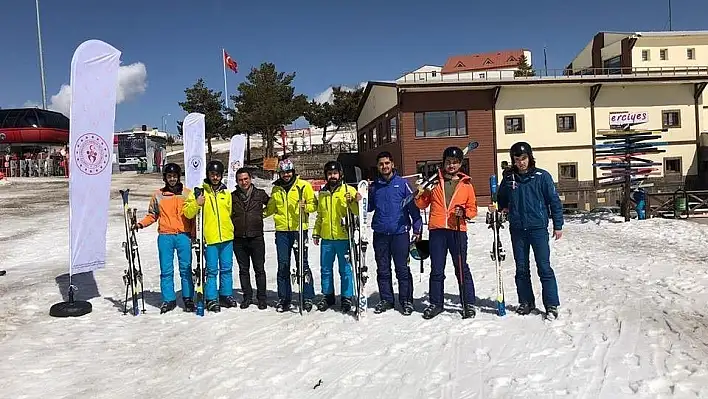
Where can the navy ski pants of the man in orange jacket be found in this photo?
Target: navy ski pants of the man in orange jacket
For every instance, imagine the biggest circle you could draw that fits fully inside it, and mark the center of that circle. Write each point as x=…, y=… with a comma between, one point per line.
x=442, y=242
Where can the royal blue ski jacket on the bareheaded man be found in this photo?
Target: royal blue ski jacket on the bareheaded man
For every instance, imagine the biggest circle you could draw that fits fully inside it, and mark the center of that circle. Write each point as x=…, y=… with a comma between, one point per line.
x=385, y=199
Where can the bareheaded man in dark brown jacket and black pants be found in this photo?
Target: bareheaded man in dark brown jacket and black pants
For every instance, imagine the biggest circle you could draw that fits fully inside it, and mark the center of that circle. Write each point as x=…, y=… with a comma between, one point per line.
x=248, y=204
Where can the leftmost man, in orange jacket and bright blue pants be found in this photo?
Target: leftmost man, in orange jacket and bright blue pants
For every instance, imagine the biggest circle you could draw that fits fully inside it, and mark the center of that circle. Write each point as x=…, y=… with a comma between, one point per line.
x=175, y=232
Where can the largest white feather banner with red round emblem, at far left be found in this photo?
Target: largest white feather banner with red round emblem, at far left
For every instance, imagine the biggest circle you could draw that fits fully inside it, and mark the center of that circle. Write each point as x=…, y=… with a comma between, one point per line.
x=94, y=82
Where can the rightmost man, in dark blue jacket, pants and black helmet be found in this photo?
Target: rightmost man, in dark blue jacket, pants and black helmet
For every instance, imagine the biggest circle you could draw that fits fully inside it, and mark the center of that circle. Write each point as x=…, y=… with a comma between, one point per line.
x=525, y=195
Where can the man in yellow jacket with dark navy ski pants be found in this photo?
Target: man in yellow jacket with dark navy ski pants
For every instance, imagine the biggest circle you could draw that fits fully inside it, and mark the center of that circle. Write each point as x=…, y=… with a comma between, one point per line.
x=285, y=208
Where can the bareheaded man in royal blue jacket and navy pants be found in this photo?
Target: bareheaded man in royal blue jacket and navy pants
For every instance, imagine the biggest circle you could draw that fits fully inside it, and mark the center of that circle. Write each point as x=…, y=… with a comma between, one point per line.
x=391, y=225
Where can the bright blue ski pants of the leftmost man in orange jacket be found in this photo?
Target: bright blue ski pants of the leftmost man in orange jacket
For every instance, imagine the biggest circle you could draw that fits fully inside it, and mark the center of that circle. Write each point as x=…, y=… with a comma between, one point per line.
x=167, y=244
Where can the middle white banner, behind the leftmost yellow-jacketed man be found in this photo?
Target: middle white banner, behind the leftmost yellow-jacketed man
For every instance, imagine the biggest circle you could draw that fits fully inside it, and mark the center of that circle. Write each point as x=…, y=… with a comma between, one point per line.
x=193, y=136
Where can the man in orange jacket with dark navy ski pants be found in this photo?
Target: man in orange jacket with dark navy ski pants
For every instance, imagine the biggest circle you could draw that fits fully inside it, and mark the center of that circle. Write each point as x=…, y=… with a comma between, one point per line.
x=452, y=201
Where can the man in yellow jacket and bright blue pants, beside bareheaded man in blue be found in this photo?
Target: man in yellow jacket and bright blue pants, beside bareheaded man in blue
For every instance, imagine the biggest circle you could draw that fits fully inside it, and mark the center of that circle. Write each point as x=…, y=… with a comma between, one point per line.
x=334, y=199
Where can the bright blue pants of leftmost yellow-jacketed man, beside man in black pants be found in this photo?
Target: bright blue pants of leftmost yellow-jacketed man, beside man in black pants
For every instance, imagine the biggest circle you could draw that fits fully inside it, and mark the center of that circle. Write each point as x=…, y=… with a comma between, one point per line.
x=219, y=262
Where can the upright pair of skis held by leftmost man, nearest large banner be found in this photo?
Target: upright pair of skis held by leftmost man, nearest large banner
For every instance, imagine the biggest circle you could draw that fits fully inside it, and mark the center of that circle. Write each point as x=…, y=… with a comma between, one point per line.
x=133, y=274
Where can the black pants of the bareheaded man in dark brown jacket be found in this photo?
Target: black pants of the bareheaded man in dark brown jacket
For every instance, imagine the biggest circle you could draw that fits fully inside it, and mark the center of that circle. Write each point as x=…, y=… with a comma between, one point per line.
x=249, y=249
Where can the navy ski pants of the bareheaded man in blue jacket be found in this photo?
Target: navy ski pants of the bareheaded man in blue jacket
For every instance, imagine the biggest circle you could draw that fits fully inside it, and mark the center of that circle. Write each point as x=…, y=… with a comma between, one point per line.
x=393, y=246
